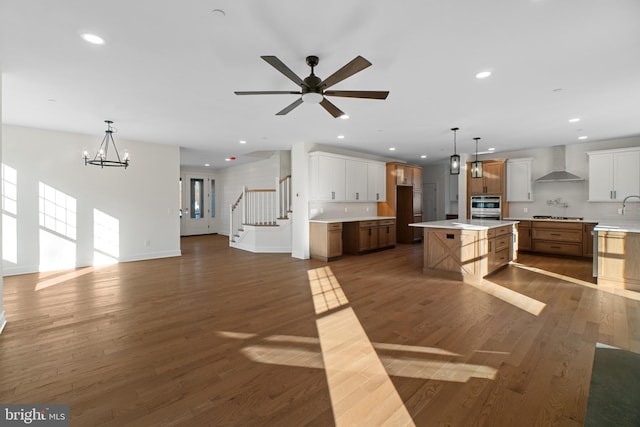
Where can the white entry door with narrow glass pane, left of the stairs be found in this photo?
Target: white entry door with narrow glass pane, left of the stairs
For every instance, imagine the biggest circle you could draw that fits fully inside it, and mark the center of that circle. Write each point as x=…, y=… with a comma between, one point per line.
x=198, y=205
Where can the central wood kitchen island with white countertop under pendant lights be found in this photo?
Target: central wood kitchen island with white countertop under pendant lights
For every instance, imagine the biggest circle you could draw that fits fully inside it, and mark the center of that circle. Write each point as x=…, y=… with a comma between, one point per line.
x=467, y=250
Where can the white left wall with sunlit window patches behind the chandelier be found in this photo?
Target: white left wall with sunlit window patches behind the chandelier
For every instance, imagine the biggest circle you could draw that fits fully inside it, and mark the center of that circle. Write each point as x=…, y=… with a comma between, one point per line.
x=142, y=200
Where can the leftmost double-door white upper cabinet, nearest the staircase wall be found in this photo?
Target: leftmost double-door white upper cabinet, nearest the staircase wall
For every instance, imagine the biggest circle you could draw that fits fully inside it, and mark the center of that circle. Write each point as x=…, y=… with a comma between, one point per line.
x=328, y=174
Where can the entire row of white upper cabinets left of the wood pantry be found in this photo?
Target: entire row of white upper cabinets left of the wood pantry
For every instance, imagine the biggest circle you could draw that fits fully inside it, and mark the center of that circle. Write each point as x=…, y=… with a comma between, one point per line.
x=343, y=179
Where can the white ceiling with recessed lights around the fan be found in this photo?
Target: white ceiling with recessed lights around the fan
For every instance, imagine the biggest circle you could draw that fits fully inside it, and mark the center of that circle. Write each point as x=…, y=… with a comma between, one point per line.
x=169, y=68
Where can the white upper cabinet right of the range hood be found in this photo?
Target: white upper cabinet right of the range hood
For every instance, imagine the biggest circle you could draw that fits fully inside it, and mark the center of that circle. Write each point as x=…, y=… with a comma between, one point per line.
x=614, y=174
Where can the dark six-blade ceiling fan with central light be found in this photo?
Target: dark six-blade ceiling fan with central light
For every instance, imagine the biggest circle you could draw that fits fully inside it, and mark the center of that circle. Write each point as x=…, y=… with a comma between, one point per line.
x=313, y=89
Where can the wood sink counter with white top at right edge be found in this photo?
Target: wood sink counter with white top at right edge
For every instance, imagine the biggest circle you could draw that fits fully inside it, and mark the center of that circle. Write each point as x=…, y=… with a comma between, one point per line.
x=617, y=263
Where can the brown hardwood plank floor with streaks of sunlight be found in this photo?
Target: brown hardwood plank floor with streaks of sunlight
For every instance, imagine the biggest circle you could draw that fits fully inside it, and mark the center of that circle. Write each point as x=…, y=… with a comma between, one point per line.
x=225, y=337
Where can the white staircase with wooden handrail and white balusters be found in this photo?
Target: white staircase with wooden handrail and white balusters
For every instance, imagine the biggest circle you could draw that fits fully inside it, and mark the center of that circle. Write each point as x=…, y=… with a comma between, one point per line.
x=260, y=219
